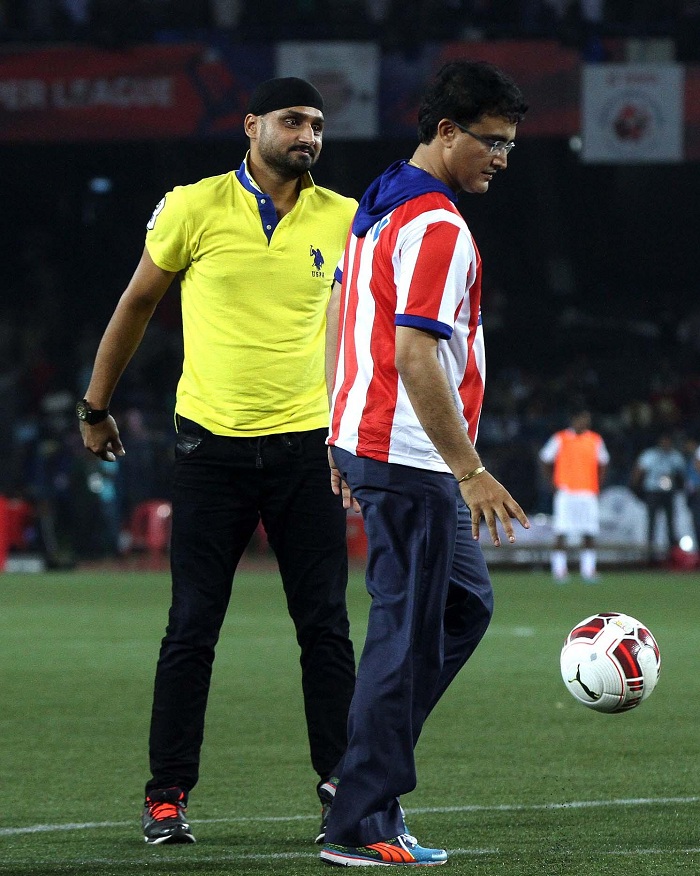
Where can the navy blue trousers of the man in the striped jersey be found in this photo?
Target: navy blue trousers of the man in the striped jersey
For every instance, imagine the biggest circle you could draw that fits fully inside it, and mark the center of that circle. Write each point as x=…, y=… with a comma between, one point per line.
x=431, y=604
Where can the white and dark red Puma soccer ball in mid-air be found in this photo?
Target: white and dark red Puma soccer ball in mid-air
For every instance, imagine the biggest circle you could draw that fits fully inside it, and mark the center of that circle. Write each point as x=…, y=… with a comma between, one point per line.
x=610, y=662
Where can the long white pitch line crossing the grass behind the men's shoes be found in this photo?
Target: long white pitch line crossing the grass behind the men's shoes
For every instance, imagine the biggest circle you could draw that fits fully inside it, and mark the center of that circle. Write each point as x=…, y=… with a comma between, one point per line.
x=246, y=819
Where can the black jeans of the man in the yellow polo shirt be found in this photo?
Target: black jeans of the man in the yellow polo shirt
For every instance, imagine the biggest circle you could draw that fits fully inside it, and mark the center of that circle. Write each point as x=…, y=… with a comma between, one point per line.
x=222, y=488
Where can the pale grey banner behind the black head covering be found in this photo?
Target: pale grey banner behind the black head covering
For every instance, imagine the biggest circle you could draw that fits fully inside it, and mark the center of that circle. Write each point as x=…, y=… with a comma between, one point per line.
x=347, y=75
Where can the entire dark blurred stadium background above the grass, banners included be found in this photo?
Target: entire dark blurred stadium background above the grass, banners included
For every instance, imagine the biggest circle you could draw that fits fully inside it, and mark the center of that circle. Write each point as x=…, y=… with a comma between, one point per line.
x=589, y=242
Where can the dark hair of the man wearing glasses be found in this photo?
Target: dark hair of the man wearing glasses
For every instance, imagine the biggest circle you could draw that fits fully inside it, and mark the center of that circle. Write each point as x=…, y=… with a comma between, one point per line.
x=465, y=91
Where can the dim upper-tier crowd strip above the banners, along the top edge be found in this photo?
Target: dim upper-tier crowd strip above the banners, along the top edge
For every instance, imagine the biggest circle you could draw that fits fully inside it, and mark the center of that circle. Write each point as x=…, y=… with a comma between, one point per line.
x=397, y=24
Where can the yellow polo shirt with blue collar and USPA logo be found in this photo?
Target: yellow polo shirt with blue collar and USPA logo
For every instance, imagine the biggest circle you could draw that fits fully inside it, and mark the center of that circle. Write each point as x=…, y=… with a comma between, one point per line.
x=254, y=297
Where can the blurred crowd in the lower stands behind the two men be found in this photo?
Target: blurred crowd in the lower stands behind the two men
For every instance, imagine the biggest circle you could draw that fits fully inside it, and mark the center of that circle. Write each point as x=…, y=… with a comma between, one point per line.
x=85, y=505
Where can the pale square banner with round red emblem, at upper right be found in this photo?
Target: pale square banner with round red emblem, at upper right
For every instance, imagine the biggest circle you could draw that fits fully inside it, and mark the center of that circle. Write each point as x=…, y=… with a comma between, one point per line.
x=632, y=113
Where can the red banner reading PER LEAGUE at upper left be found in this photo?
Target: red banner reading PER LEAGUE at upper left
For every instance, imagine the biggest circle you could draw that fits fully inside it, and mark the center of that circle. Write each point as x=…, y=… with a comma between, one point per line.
x=144, y=92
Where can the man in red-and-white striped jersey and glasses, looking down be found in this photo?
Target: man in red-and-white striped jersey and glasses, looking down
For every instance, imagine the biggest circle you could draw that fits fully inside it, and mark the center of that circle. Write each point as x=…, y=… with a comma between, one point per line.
x=407, y=395
